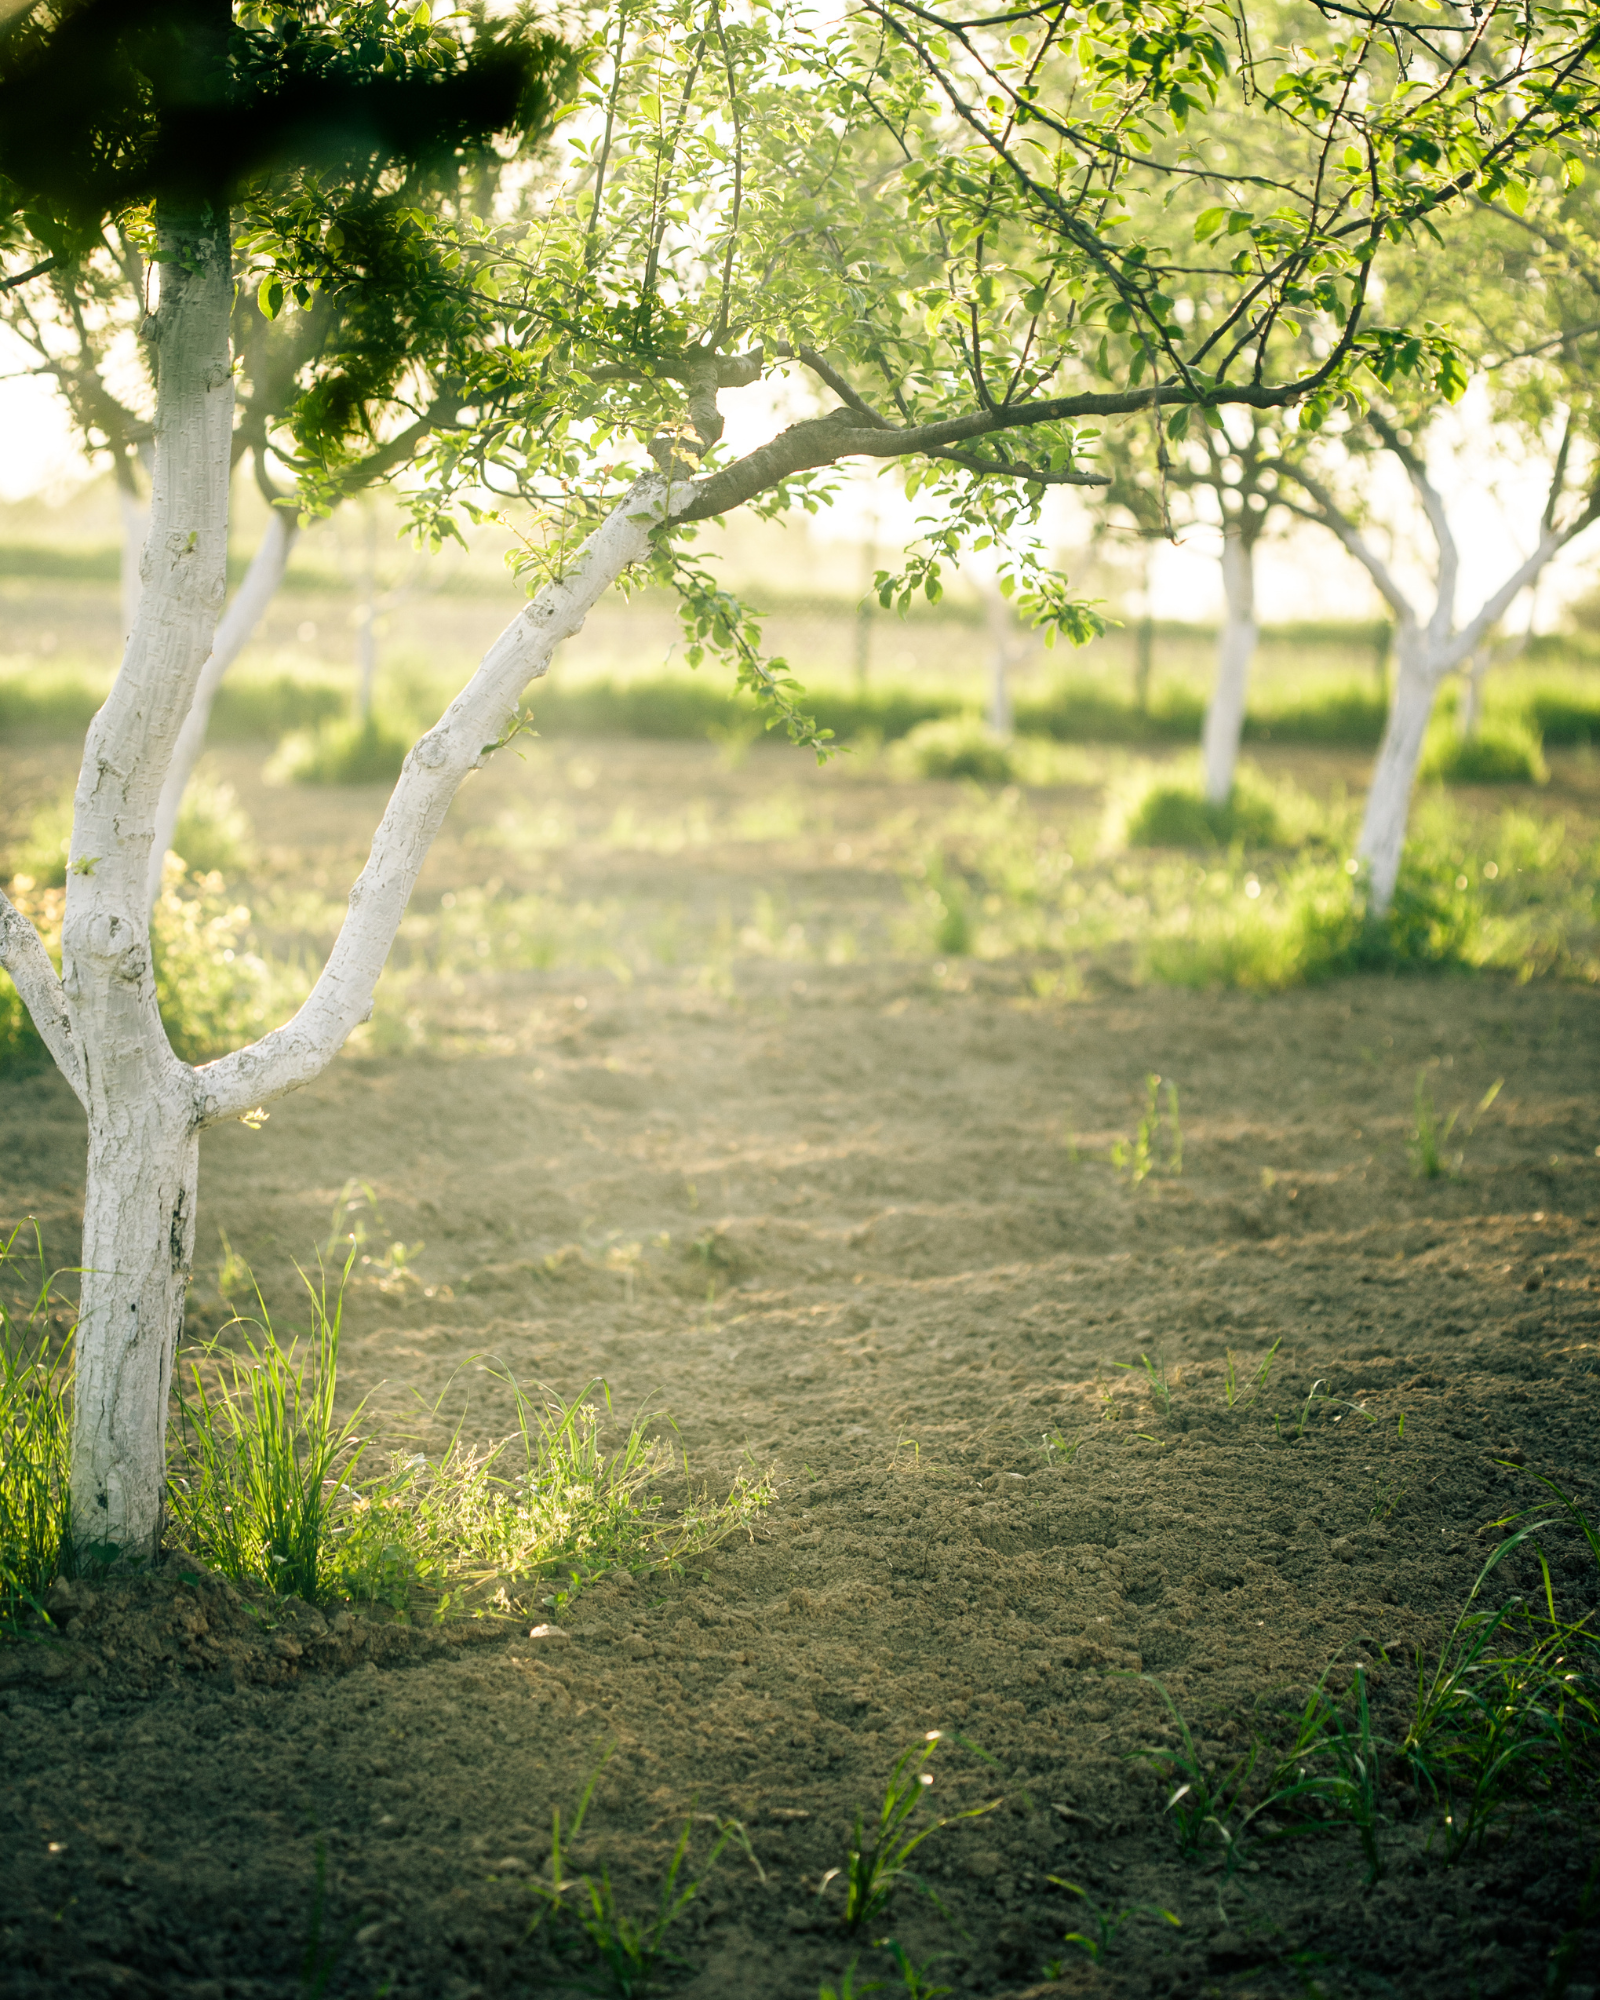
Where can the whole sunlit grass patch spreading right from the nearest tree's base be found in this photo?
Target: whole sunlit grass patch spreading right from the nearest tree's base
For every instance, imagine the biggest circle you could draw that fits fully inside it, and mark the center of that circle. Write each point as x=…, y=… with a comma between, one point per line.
x=277, y=1491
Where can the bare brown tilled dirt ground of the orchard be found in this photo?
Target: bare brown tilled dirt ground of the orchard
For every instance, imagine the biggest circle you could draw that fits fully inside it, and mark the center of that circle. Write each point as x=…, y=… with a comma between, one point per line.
x=859, y=1225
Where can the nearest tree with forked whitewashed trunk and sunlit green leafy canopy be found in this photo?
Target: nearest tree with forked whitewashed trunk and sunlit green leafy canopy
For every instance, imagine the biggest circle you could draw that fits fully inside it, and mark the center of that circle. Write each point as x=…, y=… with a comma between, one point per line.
x=743, y=195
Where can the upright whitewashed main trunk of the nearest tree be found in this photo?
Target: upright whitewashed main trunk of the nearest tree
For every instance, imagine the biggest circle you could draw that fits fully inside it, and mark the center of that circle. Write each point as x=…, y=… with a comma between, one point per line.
x=139, y=1207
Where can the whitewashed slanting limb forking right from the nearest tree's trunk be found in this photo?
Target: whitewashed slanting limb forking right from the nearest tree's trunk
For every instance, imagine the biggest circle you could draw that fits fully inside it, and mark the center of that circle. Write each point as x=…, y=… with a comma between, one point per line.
x=435, y=769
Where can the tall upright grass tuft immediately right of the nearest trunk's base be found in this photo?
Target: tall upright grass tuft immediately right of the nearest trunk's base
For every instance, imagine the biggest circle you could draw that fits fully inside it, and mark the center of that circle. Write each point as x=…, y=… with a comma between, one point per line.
x=261, y=1461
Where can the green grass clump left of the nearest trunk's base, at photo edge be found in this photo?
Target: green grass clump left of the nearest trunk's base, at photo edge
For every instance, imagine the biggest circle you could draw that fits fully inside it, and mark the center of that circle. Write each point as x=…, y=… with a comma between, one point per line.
x=35, y=1441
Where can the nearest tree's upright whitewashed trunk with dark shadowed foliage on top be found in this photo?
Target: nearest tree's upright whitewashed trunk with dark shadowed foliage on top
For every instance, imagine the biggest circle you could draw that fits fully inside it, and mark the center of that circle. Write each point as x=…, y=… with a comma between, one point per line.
x=175, y=113
